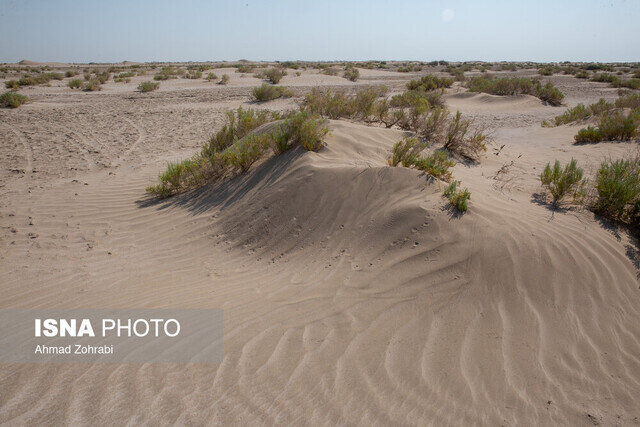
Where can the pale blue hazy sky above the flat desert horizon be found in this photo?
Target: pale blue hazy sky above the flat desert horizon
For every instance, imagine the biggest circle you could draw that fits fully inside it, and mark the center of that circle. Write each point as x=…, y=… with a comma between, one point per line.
x=197, y=30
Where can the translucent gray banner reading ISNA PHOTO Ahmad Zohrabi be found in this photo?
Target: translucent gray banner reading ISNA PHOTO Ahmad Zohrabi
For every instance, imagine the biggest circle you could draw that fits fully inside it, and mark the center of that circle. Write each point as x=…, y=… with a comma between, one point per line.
x=111, y=336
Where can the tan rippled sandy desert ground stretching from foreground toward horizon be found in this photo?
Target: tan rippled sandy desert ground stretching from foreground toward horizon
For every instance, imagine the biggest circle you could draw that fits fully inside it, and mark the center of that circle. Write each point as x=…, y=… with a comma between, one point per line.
x=351, y=295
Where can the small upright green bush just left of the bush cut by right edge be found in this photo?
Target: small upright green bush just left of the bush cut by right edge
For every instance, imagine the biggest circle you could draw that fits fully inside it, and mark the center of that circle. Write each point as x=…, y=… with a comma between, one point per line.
x=563, y=182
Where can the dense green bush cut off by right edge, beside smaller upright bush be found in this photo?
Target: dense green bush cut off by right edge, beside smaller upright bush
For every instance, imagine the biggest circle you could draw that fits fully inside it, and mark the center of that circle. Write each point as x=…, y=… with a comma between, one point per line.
x=617, y=185
